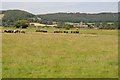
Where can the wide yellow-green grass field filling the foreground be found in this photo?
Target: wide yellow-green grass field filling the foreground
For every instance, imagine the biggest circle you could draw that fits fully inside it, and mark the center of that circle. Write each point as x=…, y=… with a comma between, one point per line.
x=90, y=54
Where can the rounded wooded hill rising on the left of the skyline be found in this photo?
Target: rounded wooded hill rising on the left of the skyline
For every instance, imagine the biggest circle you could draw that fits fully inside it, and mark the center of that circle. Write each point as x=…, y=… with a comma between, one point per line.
x=11, y=16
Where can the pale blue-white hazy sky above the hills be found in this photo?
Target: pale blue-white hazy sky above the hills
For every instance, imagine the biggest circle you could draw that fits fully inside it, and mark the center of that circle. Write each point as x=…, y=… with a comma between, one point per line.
x=54, y=7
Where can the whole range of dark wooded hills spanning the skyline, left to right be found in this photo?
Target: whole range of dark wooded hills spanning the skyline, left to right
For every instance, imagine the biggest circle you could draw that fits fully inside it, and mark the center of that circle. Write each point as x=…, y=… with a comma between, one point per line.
x=10, y=16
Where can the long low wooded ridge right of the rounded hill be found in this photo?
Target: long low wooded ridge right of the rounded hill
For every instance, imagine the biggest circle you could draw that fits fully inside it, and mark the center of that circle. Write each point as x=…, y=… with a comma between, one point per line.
x=78, y=17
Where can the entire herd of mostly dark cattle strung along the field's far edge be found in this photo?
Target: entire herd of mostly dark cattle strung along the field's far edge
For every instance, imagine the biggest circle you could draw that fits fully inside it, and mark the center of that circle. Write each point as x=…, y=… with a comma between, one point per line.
x=44, y=31
